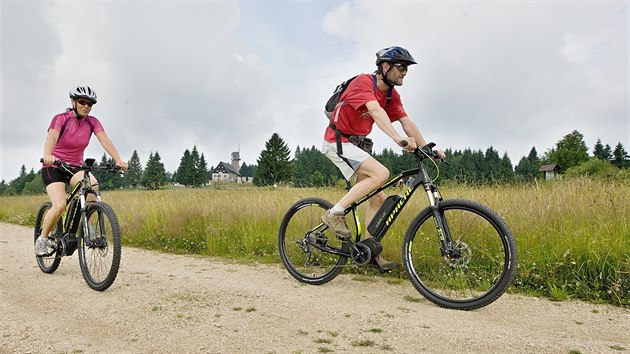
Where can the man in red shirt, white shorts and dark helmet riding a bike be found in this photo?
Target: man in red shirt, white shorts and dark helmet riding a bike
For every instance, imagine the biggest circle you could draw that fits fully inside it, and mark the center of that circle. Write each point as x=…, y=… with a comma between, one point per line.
x=368, y=99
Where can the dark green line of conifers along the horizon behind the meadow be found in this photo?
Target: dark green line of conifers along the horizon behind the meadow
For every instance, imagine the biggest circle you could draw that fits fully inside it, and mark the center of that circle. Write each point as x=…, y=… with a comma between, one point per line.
x=308, y=167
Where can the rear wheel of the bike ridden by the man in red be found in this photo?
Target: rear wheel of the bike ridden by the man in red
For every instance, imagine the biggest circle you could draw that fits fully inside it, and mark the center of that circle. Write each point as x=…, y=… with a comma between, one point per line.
x=303, y=241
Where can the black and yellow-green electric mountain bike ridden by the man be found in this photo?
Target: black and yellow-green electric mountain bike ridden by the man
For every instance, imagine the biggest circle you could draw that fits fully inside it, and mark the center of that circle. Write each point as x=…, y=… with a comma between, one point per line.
x=457, y=253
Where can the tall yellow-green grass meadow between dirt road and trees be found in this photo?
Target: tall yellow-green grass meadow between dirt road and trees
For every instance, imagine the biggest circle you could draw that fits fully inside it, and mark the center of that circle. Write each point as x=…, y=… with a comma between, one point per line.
x=573, y=235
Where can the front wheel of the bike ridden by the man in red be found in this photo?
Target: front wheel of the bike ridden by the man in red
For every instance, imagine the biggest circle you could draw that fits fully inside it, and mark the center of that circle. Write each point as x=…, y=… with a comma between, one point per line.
x=480, y=265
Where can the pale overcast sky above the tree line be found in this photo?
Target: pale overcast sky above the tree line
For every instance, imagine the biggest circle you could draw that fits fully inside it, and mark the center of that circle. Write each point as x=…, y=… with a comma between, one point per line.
x=225, y=76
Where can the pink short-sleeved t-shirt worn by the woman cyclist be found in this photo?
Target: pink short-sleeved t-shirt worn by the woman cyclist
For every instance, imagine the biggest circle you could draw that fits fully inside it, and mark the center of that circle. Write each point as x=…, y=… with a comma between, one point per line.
x=75, y=138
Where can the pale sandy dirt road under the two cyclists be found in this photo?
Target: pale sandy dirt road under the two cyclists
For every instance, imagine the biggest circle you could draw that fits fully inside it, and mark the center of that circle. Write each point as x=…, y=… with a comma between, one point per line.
x=164, y=303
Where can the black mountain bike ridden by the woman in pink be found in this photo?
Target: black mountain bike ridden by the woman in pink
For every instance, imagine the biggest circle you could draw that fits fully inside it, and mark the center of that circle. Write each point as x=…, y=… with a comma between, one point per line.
x=92, y=227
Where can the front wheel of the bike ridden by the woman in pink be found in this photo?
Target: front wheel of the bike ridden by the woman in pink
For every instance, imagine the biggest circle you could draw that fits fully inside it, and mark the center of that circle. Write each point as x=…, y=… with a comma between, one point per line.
x=100, y=250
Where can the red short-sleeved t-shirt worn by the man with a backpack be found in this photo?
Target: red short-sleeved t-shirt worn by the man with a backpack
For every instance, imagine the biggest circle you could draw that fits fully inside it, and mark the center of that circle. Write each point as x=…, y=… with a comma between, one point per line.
x=353, y=117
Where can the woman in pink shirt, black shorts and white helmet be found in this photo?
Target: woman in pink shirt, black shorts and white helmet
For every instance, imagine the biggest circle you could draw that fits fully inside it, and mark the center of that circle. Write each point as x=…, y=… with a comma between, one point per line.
x=68, y=136
